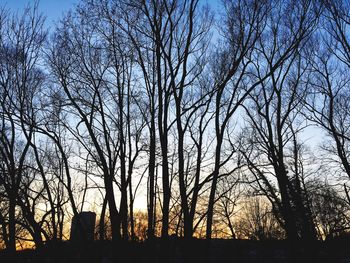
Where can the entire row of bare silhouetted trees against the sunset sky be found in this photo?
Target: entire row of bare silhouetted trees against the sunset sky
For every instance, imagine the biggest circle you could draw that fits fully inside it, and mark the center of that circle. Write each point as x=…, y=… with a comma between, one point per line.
x=230, y=124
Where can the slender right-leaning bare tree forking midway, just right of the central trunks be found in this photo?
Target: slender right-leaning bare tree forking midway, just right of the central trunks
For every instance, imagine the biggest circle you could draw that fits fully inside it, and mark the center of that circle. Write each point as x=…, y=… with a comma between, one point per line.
x=244, y=22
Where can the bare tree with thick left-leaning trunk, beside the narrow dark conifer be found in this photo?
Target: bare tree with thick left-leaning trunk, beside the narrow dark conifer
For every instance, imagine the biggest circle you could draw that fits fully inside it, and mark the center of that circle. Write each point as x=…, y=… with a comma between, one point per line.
x=275, y=120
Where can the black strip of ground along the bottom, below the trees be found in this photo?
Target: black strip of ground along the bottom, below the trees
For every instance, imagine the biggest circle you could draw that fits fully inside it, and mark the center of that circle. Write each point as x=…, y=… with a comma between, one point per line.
x=177, y=250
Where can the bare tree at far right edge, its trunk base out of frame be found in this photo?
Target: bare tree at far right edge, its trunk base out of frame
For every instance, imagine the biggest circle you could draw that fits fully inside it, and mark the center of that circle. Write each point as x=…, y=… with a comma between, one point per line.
x=328, y=105
